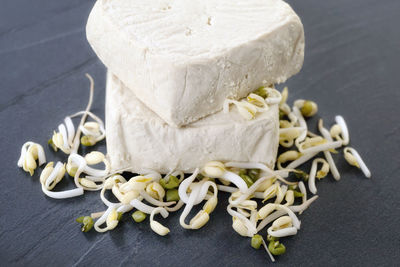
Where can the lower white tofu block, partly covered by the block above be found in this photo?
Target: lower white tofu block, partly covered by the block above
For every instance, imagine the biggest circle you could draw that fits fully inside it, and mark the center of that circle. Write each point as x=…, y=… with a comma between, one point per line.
x=140, y=139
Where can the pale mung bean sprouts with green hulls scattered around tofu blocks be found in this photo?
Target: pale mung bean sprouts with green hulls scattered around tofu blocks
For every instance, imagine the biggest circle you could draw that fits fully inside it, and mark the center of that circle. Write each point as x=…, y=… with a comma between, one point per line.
x=260, y=198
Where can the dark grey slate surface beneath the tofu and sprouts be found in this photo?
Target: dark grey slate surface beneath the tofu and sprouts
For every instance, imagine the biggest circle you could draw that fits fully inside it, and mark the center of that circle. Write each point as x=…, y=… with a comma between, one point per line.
x=351, y=68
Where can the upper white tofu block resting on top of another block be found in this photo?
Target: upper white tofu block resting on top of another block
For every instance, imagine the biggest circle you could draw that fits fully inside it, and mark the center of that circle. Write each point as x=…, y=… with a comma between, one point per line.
x=182, y=58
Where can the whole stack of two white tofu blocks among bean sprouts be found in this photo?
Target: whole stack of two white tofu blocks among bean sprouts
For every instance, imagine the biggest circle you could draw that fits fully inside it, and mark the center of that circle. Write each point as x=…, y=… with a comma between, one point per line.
x=176, y=62
